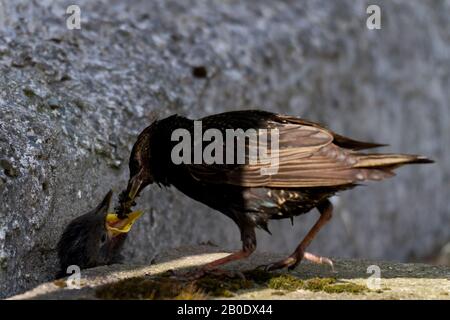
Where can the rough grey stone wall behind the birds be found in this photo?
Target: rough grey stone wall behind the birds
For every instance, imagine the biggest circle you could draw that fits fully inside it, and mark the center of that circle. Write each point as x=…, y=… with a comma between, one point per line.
x=73, y=101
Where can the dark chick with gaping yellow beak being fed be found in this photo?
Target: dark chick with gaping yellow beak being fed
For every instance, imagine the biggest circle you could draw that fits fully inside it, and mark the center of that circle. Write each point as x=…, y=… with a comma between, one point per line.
x=94, y=238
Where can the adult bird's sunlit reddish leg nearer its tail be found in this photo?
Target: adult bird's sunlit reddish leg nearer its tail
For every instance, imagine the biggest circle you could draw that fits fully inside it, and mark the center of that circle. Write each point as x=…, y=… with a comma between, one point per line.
x=326, y=211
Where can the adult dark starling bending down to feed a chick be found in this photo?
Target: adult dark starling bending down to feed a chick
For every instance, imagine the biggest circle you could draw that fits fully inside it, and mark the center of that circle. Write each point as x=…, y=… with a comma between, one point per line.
x=313, y=164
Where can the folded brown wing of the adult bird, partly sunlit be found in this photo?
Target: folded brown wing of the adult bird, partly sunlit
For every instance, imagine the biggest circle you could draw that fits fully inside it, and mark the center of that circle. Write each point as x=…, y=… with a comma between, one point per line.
x=306, y=157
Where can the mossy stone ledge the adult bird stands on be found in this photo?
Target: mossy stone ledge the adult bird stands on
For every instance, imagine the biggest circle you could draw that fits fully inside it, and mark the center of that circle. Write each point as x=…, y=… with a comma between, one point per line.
x=308, y=281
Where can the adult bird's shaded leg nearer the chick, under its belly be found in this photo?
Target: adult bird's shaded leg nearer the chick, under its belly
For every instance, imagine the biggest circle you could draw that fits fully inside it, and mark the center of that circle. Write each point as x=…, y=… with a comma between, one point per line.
x=248, y=237
